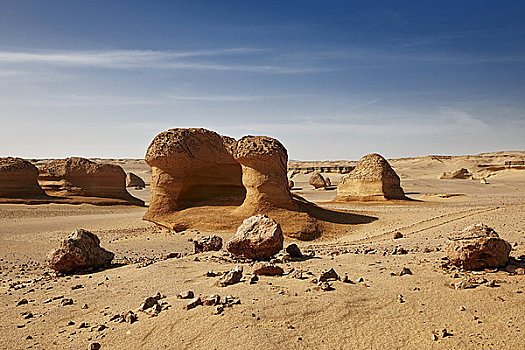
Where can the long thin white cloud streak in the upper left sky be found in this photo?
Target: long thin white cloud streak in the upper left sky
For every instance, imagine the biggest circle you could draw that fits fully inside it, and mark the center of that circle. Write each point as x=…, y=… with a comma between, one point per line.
x=149, y=59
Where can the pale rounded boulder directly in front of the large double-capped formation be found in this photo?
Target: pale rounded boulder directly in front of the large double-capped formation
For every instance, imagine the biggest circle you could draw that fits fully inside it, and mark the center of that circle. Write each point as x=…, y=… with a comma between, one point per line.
x=258, y=237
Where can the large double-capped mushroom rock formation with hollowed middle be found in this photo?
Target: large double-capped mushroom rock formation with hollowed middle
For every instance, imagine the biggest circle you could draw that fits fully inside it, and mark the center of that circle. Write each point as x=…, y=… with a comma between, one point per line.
x=206, y=181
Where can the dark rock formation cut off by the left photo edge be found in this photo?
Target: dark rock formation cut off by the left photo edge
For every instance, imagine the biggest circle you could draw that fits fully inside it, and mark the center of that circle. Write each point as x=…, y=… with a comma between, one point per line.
x=18, y=179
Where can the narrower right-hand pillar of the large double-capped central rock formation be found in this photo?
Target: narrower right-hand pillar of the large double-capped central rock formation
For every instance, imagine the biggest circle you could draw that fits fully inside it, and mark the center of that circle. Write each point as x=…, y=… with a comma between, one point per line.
x=264, y=162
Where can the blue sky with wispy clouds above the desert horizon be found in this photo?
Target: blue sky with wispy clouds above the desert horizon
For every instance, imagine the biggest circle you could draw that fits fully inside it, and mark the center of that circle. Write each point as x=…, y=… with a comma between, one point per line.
x=330, y=79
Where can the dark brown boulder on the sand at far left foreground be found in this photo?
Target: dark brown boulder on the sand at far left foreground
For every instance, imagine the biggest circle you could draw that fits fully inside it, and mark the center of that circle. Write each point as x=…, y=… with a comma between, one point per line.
x=78, y=252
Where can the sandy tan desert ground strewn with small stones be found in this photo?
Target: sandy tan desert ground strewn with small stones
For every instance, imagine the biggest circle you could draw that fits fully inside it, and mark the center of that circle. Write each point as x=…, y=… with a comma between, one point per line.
x=275, y=312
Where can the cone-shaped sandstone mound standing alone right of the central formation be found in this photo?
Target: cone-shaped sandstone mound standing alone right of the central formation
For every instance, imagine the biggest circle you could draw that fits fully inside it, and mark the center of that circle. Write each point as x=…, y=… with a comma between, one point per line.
x=372, y=179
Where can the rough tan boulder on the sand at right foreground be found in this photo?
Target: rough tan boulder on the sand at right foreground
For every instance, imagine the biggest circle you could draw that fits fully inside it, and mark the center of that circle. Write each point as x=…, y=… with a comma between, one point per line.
x=476, y=247
